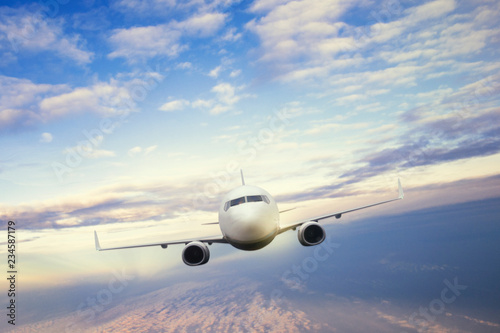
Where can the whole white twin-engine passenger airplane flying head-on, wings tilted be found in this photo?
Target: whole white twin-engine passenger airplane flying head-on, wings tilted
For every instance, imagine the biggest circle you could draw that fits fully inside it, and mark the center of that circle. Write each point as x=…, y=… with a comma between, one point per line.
x=249, y=219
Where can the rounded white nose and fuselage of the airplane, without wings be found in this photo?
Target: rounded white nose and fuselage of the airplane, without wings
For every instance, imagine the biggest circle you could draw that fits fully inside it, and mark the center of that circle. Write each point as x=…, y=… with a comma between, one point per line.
x=249, y=217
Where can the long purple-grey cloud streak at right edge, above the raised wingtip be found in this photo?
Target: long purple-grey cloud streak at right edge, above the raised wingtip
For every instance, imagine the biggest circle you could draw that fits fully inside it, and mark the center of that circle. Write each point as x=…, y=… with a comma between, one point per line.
x=454, y=124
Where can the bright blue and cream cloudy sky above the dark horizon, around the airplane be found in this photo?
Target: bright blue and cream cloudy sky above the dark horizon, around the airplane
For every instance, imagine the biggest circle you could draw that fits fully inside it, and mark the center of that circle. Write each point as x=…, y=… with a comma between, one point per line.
x=133, y=118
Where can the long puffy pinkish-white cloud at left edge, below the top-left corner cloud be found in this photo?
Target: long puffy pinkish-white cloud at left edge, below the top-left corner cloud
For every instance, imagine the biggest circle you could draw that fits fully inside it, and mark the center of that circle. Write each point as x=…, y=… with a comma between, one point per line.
x=24, y=104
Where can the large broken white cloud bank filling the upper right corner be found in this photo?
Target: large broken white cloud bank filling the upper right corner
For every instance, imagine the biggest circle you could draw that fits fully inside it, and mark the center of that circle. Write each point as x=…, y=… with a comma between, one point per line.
x=303, y=40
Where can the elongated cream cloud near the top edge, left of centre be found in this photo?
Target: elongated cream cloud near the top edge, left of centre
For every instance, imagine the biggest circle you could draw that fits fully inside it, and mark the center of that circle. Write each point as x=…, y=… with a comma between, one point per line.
x=140, y=43
